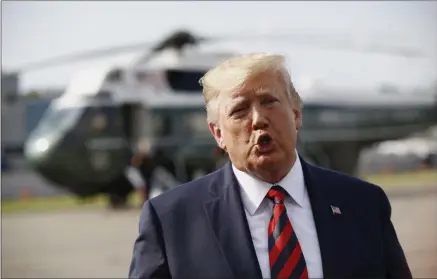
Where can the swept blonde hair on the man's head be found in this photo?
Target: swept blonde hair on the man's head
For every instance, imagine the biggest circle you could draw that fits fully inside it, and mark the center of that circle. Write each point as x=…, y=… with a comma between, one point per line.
x=231, y=74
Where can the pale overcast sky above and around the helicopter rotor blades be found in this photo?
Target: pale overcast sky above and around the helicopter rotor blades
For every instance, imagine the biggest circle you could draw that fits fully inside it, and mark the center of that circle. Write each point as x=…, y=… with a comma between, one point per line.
x=37, y=30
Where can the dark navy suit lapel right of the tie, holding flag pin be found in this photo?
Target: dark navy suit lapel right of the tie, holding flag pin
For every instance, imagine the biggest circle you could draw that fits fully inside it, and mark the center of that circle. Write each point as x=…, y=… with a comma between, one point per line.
x=330, y=227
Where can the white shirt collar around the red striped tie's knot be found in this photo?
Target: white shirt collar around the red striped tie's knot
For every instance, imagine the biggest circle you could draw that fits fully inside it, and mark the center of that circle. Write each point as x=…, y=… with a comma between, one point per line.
x=255, y=190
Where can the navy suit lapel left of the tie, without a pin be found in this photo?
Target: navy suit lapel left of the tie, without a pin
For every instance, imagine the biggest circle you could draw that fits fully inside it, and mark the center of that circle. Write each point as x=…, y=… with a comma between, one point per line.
x=225, y=212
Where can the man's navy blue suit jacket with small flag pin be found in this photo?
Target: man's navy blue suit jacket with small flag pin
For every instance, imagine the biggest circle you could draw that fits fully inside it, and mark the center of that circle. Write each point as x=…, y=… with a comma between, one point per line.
x=199, y=230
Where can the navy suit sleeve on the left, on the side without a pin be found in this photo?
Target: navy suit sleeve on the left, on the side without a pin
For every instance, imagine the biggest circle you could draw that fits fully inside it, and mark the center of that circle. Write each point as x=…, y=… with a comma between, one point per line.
x=149, y=259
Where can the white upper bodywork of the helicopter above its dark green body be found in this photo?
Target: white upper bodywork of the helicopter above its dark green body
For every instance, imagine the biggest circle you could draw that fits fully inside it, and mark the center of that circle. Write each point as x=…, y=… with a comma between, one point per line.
x=92, y=81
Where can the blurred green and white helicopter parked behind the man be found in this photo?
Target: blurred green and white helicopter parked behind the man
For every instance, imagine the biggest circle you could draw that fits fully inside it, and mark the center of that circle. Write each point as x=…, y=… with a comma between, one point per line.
x=87, y=136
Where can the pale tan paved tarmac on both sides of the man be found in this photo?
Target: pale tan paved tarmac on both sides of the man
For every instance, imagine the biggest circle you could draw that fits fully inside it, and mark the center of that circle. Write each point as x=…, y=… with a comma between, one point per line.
x=98, y=244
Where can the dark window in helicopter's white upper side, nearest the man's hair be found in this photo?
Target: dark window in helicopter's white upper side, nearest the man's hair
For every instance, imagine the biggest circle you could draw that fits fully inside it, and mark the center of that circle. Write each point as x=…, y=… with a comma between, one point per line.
x=184, y=80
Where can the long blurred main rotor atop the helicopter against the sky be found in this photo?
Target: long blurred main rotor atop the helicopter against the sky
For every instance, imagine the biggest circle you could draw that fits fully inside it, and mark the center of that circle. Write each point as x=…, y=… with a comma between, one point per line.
x=180, y=38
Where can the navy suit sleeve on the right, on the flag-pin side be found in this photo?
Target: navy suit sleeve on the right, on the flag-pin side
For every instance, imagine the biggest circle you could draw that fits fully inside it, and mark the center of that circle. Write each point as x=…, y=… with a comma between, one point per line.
x=395, y=260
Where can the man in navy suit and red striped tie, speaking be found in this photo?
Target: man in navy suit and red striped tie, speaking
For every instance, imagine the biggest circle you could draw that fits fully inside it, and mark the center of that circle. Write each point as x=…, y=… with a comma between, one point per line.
x=267, y=213
